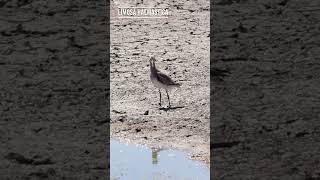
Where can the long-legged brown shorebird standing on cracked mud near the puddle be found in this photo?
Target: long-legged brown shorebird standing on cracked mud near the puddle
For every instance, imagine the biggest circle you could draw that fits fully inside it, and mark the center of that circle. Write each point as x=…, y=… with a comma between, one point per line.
x=160, y=80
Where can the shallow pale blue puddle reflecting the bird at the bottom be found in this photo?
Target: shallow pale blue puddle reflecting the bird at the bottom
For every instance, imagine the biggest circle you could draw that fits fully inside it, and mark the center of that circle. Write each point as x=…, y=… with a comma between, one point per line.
x=136, y=162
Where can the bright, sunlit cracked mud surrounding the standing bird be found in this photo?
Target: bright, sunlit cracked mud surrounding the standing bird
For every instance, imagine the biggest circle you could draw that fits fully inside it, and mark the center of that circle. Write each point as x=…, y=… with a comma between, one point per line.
x=180, y=43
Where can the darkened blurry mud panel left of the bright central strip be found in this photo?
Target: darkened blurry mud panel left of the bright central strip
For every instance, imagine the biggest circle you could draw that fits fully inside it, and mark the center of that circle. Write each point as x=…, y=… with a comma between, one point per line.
x=53, y=90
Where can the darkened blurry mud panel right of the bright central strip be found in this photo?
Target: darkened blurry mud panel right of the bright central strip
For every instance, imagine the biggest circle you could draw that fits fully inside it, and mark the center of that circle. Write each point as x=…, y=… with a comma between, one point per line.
x=265, y=113
